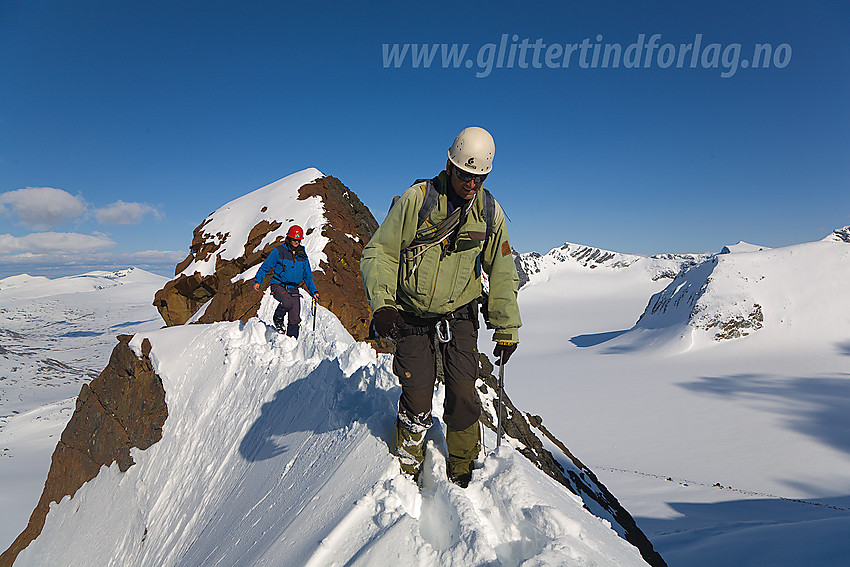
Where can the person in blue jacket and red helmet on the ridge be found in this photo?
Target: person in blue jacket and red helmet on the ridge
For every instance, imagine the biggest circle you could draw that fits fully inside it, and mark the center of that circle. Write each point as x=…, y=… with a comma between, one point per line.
x=290, y=266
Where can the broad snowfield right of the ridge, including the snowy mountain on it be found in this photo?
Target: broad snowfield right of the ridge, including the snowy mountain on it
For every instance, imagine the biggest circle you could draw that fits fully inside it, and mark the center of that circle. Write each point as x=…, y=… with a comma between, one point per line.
x=727, y=452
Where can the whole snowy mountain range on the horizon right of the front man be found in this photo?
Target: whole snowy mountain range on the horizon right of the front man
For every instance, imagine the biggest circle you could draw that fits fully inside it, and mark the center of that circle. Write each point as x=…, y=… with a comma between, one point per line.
x=727, y=295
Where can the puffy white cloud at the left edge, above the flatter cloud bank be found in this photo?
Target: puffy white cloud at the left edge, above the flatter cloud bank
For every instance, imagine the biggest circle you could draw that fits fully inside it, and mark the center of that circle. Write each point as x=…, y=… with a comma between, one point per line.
x=42, y=206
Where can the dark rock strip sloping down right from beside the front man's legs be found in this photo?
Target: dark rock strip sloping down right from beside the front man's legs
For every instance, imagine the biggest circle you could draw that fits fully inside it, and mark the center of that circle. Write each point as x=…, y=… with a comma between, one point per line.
x=572, y=474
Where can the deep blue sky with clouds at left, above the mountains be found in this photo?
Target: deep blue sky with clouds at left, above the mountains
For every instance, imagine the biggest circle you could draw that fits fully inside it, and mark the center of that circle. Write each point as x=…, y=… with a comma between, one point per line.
x=143, y=118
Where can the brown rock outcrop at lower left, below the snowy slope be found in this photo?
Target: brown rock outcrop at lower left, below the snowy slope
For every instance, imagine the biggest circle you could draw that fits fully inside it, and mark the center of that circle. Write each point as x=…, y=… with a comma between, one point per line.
x=123, y=407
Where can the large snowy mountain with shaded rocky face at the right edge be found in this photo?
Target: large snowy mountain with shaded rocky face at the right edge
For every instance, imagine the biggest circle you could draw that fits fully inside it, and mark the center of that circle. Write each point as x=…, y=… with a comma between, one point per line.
x=768, y=291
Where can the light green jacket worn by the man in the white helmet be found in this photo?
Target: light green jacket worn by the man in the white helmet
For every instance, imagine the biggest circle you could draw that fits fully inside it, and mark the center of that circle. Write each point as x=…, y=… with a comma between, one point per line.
x=445, y=277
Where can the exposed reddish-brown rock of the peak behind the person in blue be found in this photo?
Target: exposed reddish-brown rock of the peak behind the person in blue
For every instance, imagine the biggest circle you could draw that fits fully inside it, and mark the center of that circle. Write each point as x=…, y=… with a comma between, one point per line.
x=349, y=226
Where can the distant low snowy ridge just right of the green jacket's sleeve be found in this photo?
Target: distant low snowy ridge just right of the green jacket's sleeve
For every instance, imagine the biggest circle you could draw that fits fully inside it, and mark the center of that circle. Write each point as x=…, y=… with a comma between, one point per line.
x=533, y=267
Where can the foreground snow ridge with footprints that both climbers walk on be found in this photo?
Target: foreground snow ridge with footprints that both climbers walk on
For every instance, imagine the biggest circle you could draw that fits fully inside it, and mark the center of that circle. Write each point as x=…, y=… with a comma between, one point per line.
x=275, y=452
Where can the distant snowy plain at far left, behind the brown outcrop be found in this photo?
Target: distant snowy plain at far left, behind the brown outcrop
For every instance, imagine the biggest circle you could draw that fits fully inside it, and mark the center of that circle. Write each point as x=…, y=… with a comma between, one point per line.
x=55, y=335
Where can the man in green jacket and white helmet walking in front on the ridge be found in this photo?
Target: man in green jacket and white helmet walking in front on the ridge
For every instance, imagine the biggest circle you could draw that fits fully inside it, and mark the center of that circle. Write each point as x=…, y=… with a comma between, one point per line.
x=423, y=281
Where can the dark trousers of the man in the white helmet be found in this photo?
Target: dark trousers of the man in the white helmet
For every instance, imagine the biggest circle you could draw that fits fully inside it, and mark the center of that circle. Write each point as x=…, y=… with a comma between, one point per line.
x=415, y=365
